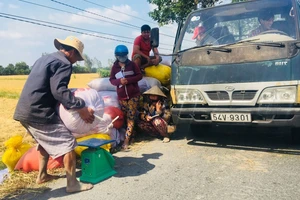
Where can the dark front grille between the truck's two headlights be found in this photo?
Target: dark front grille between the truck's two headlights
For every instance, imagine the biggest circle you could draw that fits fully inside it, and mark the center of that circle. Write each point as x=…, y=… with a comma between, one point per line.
x=236, y=95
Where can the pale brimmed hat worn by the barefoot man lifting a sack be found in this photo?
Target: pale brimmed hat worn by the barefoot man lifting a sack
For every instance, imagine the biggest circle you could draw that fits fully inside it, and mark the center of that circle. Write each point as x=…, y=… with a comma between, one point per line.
x=71, y=41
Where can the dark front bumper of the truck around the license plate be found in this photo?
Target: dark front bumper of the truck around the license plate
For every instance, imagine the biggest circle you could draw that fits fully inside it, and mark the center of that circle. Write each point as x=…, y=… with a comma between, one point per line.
x=261, y=116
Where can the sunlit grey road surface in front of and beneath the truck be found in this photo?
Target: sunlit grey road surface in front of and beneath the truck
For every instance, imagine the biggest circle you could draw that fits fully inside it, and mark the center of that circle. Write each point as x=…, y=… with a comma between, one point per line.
x=217, y=165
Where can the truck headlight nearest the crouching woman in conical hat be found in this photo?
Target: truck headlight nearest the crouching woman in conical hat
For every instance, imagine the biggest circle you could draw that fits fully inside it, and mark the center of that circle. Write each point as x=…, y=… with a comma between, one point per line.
x=188, y=96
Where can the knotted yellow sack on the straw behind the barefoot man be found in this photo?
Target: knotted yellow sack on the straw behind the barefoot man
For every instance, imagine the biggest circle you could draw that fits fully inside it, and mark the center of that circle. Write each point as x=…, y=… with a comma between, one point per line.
x=15, y=148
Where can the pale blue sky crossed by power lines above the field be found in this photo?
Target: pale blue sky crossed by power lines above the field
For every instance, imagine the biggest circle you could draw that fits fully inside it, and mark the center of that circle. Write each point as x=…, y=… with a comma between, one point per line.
x=26, y=42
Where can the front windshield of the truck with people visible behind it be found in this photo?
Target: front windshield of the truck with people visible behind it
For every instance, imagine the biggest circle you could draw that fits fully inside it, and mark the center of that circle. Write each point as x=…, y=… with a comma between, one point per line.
x=262, y=20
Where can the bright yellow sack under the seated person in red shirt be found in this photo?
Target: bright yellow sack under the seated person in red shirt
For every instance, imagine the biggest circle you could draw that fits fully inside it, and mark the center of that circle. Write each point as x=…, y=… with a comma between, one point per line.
x=160, y=72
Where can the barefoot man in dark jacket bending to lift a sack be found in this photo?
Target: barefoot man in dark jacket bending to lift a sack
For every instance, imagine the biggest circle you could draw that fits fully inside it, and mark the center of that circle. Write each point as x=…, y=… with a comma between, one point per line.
x=46, y=86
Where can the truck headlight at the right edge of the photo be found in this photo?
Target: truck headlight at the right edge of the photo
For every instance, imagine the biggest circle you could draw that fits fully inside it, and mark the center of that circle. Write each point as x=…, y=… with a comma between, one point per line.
x=279, y=95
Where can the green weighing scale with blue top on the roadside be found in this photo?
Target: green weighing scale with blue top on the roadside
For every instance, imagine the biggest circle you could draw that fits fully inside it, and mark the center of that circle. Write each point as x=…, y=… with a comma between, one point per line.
x=96, y=163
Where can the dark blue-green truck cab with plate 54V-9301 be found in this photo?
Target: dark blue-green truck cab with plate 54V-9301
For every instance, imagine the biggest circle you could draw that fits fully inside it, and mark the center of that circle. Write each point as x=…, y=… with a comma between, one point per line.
x=238, y=64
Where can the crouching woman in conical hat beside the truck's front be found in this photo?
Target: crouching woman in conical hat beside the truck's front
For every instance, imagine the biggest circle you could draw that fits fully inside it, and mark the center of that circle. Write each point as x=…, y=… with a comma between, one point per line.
x=154, y=117
